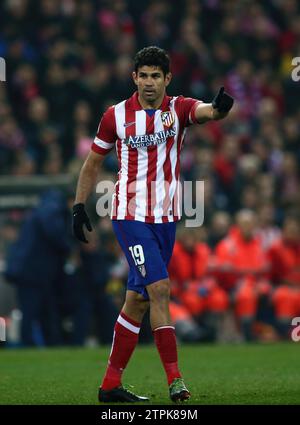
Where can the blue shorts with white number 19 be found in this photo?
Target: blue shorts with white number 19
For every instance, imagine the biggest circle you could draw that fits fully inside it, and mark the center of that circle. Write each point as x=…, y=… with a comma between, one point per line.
x=148, y=249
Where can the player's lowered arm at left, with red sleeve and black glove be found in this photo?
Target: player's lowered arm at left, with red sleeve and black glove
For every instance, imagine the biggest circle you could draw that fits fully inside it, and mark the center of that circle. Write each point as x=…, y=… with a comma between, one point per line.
x=103, y=144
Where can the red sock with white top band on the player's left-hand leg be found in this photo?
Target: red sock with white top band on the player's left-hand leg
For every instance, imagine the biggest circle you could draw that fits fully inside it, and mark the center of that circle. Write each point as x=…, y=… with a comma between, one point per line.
x=126, y=336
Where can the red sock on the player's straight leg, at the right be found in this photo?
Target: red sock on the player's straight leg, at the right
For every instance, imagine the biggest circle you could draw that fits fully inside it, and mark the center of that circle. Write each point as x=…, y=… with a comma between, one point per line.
x=165, y=341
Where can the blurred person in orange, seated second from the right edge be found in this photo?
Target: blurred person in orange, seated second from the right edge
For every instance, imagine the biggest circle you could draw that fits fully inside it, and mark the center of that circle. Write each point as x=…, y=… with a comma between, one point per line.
x=241, y=267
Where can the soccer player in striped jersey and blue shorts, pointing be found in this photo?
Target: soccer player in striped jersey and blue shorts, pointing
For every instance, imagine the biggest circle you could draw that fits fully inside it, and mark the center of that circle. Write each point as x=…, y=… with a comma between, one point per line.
x=147, y=131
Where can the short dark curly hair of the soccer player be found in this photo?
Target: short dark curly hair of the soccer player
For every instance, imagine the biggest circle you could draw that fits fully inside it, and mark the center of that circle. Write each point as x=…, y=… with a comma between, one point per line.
x=152, y=56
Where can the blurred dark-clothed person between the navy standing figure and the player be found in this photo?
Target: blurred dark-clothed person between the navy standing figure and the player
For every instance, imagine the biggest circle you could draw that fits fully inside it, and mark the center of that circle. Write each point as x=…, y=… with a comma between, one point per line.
x=91, y=308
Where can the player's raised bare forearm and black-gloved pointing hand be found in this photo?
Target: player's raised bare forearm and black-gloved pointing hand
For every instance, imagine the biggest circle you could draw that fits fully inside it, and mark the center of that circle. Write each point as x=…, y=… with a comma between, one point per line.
x=216, y=110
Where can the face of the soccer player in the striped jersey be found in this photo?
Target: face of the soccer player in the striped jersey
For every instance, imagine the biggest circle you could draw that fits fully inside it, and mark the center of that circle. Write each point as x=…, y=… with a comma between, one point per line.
x=151, y=83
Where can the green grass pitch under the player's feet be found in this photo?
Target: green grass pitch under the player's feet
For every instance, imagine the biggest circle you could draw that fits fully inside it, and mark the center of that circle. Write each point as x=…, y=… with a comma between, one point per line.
x=215, y=374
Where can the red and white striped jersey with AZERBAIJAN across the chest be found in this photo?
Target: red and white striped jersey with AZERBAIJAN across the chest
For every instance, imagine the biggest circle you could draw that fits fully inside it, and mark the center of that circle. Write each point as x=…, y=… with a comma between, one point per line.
x=148, y=148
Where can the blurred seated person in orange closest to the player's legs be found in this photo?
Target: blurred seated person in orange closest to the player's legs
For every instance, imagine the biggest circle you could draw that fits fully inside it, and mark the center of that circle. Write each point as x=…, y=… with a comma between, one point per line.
x=192, y=287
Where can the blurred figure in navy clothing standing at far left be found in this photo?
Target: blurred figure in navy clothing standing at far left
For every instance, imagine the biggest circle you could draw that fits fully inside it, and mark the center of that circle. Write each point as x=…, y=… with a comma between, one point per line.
x=35, y=265
